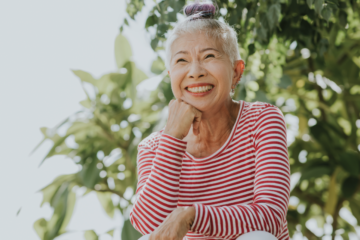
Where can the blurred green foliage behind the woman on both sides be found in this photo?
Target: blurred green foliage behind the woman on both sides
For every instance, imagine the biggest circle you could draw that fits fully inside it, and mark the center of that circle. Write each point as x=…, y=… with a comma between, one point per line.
x=302, y=56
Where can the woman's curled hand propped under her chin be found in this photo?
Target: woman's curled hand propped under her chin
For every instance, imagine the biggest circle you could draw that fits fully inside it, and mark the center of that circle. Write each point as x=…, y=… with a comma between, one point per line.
x=181, y=116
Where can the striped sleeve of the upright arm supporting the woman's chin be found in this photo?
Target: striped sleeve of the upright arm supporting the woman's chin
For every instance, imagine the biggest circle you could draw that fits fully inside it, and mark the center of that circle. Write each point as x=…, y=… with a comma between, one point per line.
x=158, y=182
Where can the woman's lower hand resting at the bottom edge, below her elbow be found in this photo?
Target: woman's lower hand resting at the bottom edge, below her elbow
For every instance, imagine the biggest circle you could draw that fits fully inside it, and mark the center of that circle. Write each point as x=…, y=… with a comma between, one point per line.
x=175, y=225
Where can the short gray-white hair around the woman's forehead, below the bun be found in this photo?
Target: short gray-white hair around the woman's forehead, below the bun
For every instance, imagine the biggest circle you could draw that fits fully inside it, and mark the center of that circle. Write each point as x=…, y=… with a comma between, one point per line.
x=213, y=28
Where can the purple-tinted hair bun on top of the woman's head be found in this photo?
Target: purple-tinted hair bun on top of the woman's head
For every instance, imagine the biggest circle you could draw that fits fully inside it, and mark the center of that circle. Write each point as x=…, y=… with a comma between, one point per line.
x=200, y=10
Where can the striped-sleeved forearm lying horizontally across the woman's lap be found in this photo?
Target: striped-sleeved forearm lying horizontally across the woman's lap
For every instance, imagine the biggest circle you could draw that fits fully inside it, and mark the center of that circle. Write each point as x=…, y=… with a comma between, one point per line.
x=230, y=222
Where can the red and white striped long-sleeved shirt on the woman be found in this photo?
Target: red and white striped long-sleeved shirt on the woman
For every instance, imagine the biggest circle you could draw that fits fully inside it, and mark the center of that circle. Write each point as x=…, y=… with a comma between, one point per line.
x=242, y=187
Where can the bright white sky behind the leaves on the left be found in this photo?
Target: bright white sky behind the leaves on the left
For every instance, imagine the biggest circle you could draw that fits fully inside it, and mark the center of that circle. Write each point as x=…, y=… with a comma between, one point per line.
x=40, y=41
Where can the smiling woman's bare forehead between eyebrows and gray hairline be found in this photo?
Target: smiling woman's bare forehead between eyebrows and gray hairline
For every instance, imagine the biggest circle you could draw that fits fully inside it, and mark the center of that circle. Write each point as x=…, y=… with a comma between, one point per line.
x=191, y=41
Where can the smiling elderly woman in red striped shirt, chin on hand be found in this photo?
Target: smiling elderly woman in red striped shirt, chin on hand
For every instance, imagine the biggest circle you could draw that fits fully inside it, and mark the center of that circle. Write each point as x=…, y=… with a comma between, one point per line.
x=219, y=169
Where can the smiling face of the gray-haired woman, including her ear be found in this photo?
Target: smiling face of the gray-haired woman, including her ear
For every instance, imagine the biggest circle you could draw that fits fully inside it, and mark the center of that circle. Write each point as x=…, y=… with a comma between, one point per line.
x=201, y=73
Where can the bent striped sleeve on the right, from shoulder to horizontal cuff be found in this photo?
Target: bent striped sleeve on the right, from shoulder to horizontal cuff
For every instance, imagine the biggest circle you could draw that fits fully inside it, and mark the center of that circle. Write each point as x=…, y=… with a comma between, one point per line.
x=271, y=187
